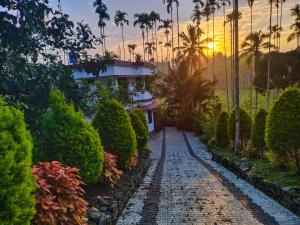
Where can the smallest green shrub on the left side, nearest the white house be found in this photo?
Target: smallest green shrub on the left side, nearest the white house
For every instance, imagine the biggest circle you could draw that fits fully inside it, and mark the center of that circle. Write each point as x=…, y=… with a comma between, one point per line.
x=139, y=125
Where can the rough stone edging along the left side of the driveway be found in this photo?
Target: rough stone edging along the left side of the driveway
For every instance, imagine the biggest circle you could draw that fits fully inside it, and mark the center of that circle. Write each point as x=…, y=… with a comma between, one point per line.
x=110, y=209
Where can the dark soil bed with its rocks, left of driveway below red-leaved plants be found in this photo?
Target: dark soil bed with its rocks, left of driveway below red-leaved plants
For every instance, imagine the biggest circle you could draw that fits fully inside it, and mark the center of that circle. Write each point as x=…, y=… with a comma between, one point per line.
x=106, y=203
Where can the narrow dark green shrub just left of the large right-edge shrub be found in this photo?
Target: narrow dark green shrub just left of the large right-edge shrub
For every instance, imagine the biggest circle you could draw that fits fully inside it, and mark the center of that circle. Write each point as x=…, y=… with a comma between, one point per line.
x=258, y=131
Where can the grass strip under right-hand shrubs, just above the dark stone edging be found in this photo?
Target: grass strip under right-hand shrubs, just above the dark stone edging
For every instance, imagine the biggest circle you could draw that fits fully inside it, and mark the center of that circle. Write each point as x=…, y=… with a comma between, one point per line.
x=264, y=168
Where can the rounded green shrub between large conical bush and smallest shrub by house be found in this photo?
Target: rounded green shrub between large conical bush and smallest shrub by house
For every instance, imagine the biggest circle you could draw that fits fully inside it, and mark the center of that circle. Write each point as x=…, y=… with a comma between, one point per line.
x=115, y=129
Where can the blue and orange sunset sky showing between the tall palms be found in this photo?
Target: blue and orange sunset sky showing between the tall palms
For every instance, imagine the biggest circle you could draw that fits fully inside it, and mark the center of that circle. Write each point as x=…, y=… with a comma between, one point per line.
x=83, y=10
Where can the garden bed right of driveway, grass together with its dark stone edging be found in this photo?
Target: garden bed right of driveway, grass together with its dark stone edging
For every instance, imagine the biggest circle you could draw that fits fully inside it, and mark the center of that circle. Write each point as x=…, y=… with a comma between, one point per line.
x=259, y=173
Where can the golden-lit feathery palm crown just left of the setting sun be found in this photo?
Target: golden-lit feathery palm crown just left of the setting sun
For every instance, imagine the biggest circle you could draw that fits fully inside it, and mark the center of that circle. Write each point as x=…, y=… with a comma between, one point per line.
x=192, y=49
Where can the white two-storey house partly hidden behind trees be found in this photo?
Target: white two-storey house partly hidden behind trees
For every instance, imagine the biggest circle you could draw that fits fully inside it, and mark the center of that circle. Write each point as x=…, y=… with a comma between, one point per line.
x=129, y=72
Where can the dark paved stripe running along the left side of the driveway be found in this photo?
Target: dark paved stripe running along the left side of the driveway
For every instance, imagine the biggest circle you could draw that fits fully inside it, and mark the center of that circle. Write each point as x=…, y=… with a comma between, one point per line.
x=150, y=208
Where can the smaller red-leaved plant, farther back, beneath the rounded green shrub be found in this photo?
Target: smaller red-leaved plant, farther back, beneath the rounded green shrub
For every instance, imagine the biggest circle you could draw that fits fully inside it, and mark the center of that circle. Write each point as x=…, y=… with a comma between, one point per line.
x=111, y=173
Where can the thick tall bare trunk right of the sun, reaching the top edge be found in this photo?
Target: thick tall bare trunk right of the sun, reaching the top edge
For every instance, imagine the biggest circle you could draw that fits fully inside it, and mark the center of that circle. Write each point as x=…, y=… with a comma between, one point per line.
x=236, y=74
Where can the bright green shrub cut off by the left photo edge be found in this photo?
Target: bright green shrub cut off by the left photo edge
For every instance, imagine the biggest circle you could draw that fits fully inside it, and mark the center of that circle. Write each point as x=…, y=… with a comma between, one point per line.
x=16, y=181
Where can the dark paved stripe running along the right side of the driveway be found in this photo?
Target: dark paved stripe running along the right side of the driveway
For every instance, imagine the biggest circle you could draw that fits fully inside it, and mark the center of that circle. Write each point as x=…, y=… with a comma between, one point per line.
x=255, y=210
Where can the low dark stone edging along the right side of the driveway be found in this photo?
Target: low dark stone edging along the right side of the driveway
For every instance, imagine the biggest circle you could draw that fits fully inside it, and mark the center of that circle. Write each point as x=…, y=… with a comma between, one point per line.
x=280, y=195
